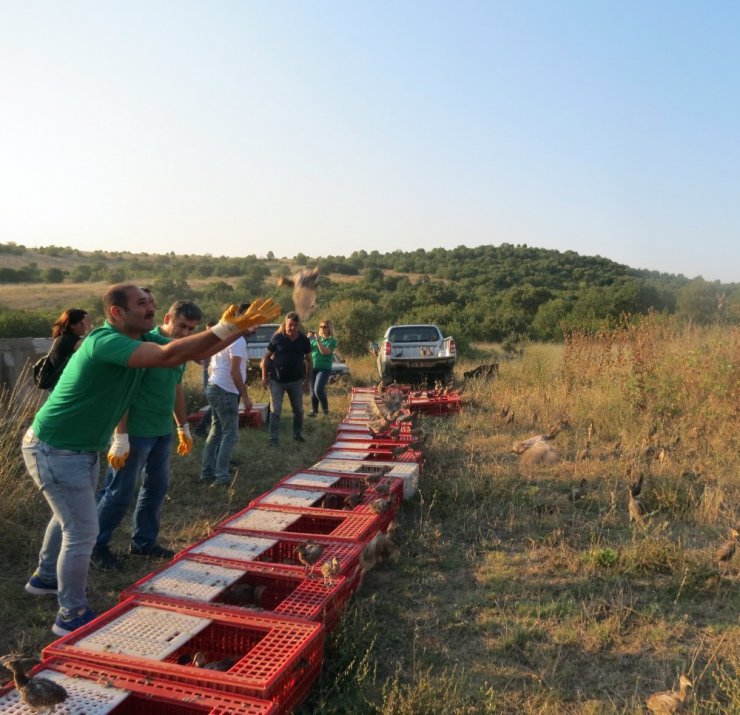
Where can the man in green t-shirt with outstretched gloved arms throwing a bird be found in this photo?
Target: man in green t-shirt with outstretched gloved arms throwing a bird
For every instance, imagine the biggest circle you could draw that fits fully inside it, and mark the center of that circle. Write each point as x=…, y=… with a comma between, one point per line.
x=61, y=448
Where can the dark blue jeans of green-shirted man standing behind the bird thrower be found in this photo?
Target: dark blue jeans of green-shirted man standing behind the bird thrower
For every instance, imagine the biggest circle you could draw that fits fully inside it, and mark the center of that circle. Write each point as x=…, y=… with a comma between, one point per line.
x=152, y=455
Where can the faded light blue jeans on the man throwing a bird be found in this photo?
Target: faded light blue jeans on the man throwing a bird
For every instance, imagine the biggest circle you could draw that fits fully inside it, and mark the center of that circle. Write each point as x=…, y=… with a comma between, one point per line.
x=67, y=479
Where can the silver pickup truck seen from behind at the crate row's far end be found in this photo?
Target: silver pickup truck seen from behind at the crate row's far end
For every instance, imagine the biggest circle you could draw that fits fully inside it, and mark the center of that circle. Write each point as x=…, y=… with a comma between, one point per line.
x=416, y=353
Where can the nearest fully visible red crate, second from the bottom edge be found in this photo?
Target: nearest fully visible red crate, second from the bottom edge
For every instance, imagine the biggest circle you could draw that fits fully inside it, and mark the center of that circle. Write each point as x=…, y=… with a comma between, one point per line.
x=201, y=646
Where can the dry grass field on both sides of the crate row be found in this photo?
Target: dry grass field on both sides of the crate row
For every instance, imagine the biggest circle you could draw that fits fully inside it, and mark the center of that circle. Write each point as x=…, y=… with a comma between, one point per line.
x=523, y=586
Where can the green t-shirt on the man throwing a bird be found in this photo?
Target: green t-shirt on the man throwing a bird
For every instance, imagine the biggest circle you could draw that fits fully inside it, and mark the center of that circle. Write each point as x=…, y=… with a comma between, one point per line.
x=93, y=393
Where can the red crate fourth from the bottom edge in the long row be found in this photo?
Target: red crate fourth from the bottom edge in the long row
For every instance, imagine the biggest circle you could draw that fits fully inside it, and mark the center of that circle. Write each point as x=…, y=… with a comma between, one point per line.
x=239, y=548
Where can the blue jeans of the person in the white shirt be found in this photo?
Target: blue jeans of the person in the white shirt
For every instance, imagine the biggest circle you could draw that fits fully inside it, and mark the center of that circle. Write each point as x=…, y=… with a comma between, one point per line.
x=223, y=436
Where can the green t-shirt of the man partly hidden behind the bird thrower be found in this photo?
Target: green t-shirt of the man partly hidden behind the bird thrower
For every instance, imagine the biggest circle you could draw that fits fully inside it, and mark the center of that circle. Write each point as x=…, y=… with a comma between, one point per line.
x=150, y=414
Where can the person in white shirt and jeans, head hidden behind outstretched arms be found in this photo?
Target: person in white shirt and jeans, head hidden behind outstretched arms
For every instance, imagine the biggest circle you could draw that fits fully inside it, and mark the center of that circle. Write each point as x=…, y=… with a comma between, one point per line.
x=227, y=384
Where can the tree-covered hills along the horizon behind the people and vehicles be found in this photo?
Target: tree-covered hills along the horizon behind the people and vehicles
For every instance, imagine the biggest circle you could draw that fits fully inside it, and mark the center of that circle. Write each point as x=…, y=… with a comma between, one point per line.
x=487, y=293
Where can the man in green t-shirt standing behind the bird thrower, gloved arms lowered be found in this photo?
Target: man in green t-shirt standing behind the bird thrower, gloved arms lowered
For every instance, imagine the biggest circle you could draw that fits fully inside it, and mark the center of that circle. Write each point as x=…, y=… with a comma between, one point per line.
x=146, y=434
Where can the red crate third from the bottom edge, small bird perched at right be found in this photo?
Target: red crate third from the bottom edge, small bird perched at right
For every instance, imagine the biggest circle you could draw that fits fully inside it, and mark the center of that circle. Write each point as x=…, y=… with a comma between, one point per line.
x=252, y=586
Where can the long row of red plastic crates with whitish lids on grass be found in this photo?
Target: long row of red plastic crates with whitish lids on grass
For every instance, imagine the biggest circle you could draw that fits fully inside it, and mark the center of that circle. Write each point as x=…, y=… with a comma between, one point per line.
x=237, y=622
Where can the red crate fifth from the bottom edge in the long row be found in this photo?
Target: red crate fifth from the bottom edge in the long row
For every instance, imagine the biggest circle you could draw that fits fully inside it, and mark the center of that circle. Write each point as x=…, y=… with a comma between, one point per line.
x=306, y=521
